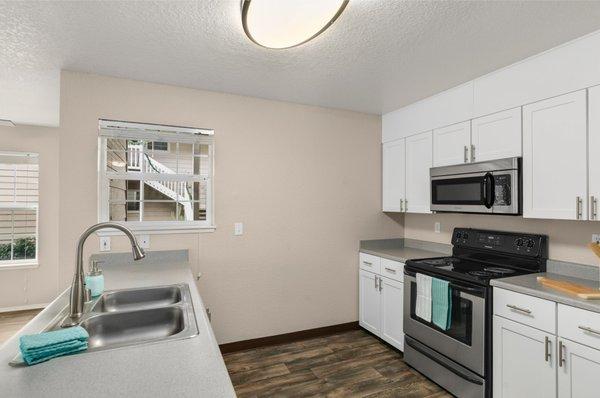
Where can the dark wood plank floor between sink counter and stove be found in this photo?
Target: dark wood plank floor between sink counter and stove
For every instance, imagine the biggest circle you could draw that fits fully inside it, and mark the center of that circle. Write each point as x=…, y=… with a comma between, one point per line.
x=350, y=364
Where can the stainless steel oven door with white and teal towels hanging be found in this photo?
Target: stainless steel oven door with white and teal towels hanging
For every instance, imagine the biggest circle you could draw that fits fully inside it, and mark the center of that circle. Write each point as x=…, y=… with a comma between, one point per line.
x=464, y=341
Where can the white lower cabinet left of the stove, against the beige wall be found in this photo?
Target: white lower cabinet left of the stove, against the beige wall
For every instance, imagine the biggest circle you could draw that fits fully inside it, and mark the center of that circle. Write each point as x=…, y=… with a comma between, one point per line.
x=381, y=306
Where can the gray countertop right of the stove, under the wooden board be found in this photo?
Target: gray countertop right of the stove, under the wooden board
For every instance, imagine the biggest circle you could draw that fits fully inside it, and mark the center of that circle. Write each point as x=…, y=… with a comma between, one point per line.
x=528, y=284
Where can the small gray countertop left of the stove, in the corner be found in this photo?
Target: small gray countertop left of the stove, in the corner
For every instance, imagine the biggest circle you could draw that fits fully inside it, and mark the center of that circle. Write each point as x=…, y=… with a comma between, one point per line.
x=403, y=249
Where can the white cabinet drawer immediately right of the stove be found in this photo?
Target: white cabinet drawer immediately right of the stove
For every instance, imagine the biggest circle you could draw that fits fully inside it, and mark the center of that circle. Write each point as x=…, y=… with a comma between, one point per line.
x=528, y=310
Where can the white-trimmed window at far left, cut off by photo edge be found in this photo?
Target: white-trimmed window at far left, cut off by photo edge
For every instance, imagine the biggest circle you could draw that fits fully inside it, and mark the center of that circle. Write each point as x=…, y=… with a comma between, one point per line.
x=19, y=175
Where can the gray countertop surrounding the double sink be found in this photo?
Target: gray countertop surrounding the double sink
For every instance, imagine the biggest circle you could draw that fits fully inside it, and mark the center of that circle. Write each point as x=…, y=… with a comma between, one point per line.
x=192, y=367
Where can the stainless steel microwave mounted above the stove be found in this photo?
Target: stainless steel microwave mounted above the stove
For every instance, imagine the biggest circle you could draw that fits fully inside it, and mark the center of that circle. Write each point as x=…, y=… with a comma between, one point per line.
x=492, y=187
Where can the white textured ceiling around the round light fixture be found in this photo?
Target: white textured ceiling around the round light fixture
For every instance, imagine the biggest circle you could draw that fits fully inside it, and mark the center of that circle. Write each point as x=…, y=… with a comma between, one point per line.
x=378, y=56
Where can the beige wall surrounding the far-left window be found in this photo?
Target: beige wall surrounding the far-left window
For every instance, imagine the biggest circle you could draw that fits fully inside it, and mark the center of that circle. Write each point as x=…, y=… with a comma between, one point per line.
x=34, y=286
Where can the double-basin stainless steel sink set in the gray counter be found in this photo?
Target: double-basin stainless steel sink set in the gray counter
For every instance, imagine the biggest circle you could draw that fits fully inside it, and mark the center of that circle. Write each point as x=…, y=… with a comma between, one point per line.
x=130, y=317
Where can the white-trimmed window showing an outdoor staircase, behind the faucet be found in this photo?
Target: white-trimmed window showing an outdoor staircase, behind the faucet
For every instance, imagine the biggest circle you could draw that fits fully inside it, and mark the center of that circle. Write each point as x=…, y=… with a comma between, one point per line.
x=155, y=177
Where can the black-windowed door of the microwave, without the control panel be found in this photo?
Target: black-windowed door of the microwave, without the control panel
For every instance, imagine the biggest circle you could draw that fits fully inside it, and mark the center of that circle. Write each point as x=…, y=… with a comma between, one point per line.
x=463, y=193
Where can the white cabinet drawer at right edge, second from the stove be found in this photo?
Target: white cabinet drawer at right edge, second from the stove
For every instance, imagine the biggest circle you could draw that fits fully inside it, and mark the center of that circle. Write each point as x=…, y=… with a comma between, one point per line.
x=579, y=325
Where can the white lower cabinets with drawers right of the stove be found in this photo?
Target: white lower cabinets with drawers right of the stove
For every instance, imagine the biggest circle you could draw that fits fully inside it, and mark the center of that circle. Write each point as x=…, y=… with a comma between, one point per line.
x=529, y=362
